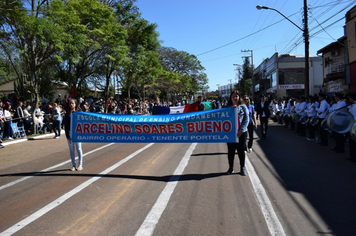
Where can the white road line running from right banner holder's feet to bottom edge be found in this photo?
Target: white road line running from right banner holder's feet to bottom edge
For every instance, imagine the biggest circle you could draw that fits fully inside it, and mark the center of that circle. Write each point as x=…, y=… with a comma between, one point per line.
x=274, y=226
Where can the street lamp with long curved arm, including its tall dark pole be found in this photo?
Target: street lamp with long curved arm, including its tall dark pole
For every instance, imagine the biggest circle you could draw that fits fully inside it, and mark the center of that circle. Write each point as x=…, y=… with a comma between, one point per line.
x=306, y=41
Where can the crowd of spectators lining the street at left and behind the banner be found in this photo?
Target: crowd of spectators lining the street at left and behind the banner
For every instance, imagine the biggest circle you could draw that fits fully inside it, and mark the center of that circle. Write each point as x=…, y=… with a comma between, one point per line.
x=49, y=113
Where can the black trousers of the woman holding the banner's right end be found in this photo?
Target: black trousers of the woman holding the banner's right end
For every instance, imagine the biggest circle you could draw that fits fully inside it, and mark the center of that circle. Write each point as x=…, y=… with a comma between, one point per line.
x=240, y=147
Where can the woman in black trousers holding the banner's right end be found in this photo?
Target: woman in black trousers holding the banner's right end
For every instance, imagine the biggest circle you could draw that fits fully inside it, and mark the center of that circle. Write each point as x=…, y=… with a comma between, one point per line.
x=235, y=101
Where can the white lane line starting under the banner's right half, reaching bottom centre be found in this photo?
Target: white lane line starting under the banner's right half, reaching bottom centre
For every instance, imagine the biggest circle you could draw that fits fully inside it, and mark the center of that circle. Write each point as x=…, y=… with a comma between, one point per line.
x=154, y=215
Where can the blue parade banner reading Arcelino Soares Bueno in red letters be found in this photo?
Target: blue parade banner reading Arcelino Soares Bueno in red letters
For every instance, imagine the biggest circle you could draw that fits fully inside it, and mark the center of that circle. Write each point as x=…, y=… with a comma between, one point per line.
x=214, y=126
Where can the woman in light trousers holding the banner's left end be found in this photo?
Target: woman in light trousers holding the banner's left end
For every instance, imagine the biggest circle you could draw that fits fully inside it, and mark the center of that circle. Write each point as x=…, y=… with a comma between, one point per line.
x=72, y=107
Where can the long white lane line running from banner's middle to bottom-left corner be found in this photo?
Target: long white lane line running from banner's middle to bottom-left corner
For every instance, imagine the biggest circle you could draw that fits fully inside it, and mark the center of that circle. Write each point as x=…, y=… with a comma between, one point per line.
x=16, y=227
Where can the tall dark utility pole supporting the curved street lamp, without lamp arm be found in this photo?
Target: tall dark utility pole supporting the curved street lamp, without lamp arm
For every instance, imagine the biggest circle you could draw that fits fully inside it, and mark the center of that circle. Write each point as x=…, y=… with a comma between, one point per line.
x=306, y=41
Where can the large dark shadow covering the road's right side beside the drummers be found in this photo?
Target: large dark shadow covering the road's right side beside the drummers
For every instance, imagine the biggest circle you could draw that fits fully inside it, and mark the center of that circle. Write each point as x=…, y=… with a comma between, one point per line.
x=322, y=176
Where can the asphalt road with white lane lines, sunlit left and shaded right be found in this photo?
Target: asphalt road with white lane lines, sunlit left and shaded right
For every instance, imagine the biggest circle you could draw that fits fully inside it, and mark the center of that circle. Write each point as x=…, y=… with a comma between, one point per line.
x=293, y=187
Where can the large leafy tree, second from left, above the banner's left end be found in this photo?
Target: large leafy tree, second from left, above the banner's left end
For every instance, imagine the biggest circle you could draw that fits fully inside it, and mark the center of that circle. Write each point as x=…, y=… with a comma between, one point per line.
x=94, y=43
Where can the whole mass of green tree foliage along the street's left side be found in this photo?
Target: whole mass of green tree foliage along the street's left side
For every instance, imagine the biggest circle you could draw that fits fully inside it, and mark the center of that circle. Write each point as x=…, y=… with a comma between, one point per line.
x=81, y=41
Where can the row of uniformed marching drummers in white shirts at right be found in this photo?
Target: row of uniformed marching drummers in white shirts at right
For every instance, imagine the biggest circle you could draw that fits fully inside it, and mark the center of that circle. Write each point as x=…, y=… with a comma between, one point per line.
x=308, y=118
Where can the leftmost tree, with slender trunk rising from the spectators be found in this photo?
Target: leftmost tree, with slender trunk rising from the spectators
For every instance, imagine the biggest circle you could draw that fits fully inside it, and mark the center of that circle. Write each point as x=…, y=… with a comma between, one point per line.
x=28, y=37
